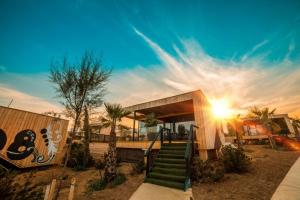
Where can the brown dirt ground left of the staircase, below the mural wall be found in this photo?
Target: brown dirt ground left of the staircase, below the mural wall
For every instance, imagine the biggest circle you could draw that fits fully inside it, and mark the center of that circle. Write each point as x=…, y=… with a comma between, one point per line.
x=43, y=177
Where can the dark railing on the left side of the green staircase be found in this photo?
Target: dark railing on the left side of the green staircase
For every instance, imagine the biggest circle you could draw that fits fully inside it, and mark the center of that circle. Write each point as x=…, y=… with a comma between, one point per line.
x=148, y=153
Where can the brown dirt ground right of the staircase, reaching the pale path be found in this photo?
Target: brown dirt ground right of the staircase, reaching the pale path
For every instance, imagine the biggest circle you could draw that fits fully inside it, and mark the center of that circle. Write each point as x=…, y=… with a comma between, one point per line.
x=267, y=171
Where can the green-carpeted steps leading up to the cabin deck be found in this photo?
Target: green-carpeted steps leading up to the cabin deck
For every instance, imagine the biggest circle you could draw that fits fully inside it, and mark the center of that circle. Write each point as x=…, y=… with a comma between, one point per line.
x=169, y=167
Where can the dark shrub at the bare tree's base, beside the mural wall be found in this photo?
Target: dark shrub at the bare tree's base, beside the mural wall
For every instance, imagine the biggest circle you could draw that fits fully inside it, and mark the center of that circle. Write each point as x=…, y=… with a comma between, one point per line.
x=77, y=157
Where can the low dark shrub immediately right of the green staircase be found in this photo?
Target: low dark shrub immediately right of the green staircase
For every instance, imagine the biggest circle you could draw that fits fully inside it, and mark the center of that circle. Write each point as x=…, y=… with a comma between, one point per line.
x=207, y=171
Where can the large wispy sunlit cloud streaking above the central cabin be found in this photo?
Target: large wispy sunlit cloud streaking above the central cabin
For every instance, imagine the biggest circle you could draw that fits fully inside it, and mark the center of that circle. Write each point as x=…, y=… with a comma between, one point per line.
x=247, y=82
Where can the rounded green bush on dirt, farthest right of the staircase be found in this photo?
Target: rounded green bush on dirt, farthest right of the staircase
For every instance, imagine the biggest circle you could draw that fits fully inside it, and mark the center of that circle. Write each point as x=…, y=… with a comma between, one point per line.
x=235, y=160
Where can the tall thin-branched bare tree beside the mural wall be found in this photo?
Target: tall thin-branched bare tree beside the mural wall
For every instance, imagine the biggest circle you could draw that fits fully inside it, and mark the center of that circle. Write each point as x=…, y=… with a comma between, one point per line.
x=79, y=84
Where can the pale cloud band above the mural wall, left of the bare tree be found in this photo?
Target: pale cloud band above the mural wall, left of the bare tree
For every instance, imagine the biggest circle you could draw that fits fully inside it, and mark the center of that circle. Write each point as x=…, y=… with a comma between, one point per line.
x=24, y=101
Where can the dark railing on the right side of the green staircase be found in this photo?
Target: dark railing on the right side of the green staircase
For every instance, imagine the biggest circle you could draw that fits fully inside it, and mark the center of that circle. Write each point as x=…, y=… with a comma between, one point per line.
x=188, y=156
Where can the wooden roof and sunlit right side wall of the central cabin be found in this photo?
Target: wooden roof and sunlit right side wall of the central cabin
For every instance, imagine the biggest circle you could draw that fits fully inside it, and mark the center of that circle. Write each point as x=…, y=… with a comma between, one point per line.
x=192, y=106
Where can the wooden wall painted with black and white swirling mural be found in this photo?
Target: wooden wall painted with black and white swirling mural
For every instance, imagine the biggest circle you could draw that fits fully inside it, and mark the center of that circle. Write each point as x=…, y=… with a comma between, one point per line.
x=29, y=139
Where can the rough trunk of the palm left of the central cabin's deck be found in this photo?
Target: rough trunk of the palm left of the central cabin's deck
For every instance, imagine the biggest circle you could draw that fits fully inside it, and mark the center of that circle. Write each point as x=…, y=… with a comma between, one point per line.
x=110, y=171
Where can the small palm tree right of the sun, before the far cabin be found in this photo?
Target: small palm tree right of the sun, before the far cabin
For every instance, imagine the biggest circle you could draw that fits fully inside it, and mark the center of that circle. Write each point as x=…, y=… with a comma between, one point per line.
x=265, y=118
